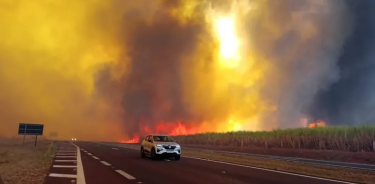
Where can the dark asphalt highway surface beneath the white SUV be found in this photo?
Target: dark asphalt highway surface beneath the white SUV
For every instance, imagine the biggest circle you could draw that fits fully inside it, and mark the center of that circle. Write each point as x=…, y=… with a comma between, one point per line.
x=108, y=164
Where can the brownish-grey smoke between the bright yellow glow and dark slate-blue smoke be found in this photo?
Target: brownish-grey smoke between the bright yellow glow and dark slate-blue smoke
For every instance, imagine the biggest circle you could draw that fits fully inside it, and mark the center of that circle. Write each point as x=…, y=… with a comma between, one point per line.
x=304, y=58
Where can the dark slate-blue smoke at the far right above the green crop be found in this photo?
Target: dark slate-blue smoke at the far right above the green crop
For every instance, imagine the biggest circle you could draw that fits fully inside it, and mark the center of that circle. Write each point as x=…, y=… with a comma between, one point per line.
x=351, y=100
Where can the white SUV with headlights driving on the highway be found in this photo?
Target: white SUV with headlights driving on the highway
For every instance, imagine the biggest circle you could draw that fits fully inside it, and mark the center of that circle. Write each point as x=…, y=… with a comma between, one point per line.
x=160, y=146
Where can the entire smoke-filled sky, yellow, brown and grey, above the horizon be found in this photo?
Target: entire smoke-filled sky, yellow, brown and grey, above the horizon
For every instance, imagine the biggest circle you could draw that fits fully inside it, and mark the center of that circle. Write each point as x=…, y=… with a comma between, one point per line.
x=112, y=70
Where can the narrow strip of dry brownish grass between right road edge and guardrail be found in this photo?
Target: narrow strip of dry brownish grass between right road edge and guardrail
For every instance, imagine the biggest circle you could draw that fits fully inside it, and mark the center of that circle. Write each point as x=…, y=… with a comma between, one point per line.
x=345, y=174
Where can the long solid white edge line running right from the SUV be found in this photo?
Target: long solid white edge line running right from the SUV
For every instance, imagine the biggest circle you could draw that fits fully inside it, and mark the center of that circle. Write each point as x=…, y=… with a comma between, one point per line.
x=282, y=172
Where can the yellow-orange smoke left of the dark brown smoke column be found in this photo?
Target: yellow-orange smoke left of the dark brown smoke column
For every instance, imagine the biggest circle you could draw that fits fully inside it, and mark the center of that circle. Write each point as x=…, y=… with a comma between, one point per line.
x=49, y=53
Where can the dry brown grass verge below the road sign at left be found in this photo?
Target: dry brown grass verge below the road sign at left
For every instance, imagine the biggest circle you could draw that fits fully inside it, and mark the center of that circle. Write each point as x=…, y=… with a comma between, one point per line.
x=20, y=164
